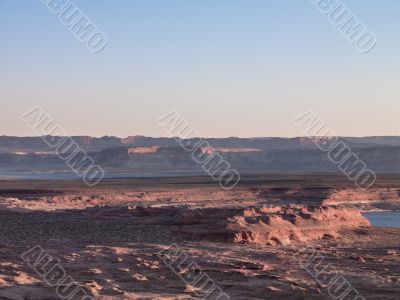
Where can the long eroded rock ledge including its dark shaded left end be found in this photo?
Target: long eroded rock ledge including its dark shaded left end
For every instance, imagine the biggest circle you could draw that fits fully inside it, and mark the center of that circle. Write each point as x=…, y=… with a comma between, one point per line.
x=268, y=225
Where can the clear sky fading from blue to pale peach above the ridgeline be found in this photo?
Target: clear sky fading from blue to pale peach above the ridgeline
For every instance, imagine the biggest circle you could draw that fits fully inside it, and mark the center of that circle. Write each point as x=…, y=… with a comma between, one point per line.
x=231, y=68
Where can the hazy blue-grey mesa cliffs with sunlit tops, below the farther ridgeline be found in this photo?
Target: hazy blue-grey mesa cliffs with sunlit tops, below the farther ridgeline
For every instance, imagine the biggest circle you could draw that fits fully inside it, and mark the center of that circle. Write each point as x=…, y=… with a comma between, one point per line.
x=156, y=160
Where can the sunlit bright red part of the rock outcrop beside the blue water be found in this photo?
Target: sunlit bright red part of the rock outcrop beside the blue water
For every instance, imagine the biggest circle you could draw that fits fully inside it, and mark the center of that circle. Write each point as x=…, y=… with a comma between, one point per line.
x=284, y=225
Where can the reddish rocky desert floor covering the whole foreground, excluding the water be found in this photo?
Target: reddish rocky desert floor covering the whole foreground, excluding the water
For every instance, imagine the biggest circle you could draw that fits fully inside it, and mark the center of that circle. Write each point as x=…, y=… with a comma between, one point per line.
x=272, y=237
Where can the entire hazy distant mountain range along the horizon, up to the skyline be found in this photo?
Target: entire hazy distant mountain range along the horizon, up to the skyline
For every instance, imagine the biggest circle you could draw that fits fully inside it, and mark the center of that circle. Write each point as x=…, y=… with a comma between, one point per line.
x=31, y=157
